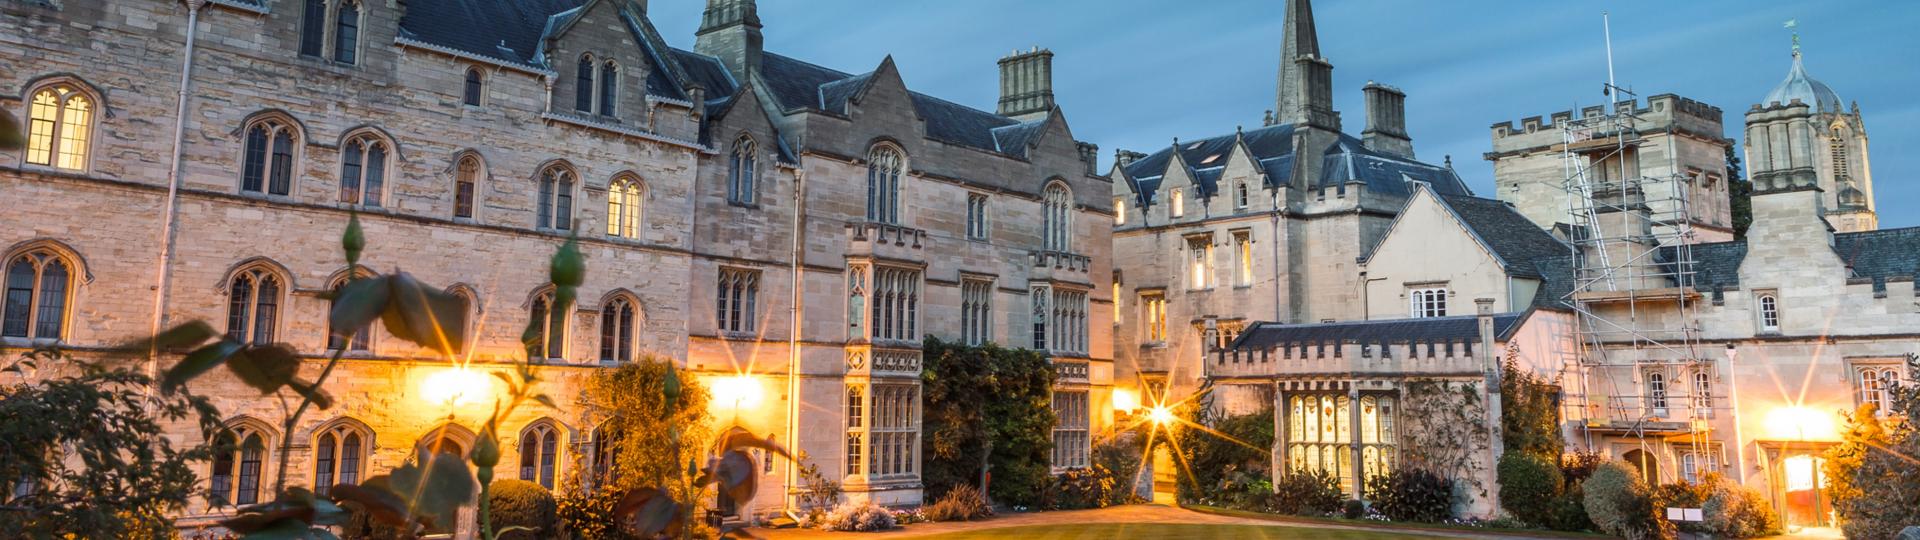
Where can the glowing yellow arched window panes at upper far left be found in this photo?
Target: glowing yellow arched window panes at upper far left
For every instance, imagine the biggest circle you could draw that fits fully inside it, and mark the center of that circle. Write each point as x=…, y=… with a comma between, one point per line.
x=60, y=128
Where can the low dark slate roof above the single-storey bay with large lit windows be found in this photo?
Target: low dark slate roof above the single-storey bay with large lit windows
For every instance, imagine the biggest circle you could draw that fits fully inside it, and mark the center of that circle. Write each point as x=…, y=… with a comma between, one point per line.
x=1429, y=330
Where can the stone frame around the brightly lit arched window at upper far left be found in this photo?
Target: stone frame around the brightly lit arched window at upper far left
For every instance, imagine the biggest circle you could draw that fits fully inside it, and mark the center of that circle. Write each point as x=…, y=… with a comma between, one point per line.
x=64, y=93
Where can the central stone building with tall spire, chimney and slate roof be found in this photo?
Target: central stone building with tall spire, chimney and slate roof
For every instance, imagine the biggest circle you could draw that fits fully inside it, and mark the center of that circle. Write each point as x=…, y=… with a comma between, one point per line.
x=1257, y=226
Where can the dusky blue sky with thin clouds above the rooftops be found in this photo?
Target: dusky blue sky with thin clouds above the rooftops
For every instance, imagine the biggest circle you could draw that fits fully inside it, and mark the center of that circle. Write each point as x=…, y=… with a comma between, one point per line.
x=1138, y=74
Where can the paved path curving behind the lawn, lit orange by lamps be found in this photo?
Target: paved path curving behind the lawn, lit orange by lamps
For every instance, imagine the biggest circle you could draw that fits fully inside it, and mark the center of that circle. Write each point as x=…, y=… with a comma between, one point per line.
x=1120, y=514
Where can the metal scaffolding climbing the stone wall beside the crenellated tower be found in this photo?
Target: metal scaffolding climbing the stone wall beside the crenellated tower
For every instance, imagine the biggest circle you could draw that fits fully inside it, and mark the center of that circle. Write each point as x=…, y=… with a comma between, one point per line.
x=1633, y=291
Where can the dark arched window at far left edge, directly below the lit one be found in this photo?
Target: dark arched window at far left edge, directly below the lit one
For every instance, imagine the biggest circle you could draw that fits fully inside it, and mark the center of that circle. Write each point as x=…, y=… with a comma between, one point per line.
x=37, y=293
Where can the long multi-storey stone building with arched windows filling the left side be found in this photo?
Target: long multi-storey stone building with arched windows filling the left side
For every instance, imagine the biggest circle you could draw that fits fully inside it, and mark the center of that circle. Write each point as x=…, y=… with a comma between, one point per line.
x=786, y=230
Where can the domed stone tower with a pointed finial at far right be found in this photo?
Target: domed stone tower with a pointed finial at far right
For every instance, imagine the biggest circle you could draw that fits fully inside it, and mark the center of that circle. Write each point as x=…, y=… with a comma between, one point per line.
x=1802, y=130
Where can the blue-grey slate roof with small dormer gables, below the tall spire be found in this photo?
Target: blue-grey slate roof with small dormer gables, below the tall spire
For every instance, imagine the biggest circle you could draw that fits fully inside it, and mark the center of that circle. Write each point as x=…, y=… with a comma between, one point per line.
x=1347, y=160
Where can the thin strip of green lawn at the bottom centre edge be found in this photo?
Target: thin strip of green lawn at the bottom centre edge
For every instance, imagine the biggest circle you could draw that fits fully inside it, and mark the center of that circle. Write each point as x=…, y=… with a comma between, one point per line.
x=1174, y=531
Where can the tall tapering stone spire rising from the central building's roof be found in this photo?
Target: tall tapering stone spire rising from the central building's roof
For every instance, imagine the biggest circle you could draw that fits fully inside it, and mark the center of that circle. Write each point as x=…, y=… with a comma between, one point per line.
x=1305, y=91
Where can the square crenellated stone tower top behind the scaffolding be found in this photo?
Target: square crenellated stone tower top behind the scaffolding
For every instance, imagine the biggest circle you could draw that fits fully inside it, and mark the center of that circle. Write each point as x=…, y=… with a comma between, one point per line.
x=1673, y=147
